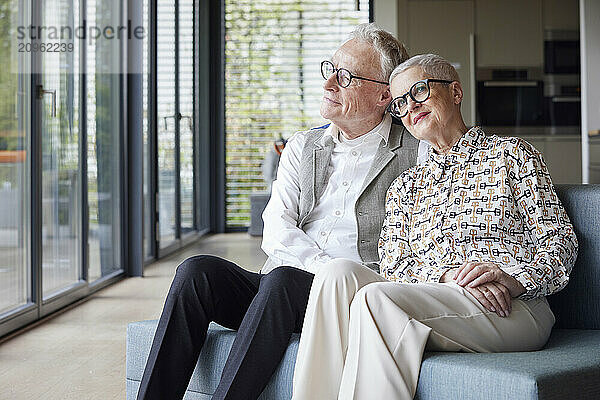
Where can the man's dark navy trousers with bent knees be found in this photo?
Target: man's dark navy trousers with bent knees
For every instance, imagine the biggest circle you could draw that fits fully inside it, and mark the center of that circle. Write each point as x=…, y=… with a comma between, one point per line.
x=264, y=309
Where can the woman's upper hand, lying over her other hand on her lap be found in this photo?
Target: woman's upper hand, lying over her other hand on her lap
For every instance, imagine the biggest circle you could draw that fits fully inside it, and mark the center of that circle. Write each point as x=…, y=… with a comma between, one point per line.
x=475, y=274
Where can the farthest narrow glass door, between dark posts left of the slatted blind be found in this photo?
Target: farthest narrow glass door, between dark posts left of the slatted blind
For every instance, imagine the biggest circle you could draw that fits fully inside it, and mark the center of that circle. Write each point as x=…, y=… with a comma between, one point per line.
x=175, y=105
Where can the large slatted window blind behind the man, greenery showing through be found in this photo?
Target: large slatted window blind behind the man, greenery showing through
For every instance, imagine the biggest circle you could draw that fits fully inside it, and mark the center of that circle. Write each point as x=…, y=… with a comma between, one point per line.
x=273, y=84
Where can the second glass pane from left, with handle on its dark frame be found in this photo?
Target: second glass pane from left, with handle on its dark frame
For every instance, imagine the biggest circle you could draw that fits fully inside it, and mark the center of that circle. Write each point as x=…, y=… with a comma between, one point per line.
x=58, y=90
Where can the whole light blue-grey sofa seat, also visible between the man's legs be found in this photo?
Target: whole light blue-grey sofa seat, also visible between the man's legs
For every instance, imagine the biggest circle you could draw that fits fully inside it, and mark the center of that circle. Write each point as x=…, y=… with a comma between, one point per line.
x=569, y=366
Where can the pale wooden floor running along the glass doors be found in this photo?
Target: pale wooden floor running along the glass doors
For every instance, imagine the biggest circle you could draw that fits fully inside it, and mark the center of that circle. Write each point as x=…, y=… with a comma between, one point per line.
x=80, y=354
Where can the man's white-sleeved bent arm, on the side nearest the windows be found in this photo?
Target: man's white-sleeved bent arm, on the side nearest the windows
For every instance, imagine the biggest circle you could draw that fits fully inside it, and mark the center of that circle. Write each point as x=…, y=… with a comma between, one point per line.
x=283, y=241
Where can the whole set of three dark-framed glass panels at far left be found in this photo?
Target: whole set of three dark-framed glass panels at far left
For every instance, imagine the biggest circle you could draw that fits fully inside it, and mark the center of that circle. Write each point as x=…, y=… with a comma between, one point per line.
x=61, y=153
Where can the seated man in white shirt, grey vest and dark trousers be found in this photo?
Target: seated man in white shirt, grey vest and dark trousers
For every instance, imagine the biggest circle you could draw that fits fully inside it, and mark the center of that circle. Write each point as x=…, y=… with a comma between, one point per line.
x=327, y=203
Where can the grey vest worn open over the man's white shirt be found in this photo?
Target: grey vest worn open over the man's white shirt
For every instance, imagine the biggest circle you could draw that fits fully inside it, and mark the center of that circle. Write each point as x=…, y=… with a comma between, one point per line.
x=390, y=160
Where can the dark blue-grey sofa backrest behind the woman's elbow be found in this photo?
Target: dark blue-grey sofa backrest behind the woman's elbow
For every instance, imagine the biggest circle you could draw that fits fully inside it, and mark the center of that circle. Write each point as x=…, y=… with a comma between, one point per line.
x=578, y=305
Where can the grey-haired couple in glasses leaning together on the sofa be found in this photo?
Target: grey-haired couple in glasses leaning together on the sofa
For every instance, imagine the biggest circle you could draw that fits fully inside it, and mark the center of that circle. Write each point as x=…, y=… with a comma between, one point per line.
x=457, y=256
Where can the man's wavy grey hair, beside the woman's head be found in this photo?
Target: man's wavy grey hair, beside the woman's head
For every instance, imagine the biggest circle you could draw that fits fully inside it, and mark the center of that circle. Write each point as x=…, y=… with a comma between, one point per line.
x=391, y=51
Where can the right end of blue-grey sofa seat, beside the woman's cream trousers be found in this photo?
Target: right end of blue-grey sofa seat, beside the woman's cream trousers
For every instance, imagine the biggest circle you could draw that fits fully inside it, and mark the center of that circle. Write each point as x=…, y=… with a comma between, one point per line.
x=567, y=367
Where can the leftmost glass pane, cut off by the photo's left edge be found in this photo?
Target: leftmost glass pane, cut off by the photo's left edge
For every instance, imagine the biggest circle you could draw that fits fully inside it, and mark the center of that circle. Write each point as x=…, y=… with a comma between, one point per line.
x=15, y=157
